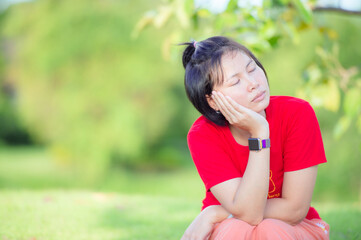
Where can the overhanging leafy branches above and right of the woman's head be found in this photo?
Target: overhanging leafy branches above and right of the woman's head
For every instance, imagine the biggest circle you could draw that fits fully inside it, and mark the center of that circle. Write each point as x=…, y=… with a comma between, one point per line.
x=327, y=83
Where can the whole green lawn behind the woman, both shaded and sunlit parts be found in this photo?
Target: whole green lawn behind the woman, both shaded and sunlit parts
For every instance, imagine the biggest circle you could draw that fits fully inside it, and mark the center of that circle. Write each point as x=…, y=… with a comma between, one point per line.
x=39, y=202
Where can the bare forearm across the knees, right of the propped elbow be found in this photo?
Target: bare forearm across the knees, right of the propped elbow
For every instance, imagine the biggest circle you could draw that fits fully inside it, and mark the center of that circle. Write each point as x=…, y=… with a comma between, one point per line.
x=283, y=209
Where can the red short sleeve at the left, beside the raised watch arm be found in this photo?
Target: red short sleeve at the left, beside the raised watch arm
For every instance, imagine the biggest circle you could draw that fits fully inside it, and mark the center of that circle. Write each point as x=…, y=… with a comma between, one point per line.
x=211, y=157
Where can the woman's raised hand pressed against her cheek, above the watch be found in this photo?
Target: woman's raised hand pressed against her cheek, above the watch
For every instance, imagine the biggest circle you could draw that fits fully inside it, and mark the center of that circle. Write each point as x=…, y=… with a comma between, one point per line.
x=240, y=116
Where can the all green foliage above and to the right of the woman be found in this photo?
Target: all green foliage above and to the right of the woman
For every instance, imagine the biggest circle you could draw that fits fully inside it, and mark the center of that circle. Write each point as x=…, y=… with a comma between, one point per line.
x=312, y=55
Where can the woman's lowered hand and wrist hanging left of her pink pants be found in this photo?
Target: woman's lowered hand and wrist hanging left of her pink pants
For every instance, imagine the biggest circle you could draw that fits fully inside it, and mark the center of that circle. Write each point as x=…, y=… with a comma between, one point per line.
x=202, y=226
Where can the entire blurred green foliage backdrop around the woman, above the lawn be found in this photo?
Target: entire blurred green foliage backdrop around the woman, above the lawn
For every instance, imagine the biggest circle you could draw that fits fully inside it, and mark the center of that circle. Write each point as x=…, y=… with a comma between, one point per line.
x=91, y=84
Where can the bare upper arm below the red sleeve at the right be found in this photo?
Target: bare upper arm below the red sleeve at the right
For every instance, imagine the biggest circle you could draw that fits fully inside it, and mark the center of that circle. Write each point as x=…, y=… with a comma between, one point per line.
x=298, y=188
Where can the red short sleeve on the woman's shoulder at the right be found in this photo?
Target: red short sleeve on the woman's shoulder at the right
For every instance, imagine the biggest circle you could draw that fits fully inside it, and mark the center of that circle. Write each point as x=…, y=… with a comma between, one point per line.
x=303, y=145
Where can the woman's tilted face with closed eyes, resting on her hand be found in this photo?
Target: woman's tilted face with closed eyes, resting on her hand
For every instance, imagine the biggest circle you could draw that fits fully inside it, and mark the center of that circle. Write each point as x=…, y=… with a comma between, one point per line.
x=244, y=81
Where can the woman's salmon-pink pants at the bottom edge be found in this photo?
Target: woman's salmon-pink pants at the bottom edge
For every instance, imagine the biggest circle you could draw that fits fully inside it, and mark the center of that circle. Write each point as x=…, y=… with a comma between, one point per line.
x=232, y=229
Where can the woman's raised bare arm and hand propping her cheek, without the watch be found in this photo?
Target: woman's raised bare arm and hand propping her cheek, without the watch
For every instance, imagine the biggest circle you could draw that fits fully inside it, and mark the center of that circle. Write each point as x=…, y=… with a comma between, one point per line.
x=245, y=198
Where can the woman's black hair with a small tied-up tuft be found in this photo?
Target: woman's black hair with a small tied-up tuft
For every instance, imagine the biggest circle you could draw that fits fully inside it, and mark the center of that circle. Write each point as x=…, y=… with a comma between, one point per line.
x=203, y=70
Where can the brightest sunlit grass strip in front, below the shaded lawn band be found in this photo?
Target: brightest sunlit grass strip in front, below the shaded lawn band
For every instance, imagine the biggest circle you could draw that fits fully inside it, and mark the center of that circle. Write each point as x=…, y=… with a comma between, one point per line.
x=77, y=215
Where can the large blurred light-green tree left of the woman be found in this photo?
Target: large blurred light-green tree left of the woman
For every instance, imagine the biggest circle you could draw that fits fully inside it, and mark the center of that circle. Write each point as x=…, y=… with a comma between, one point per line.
x=97, y=97
